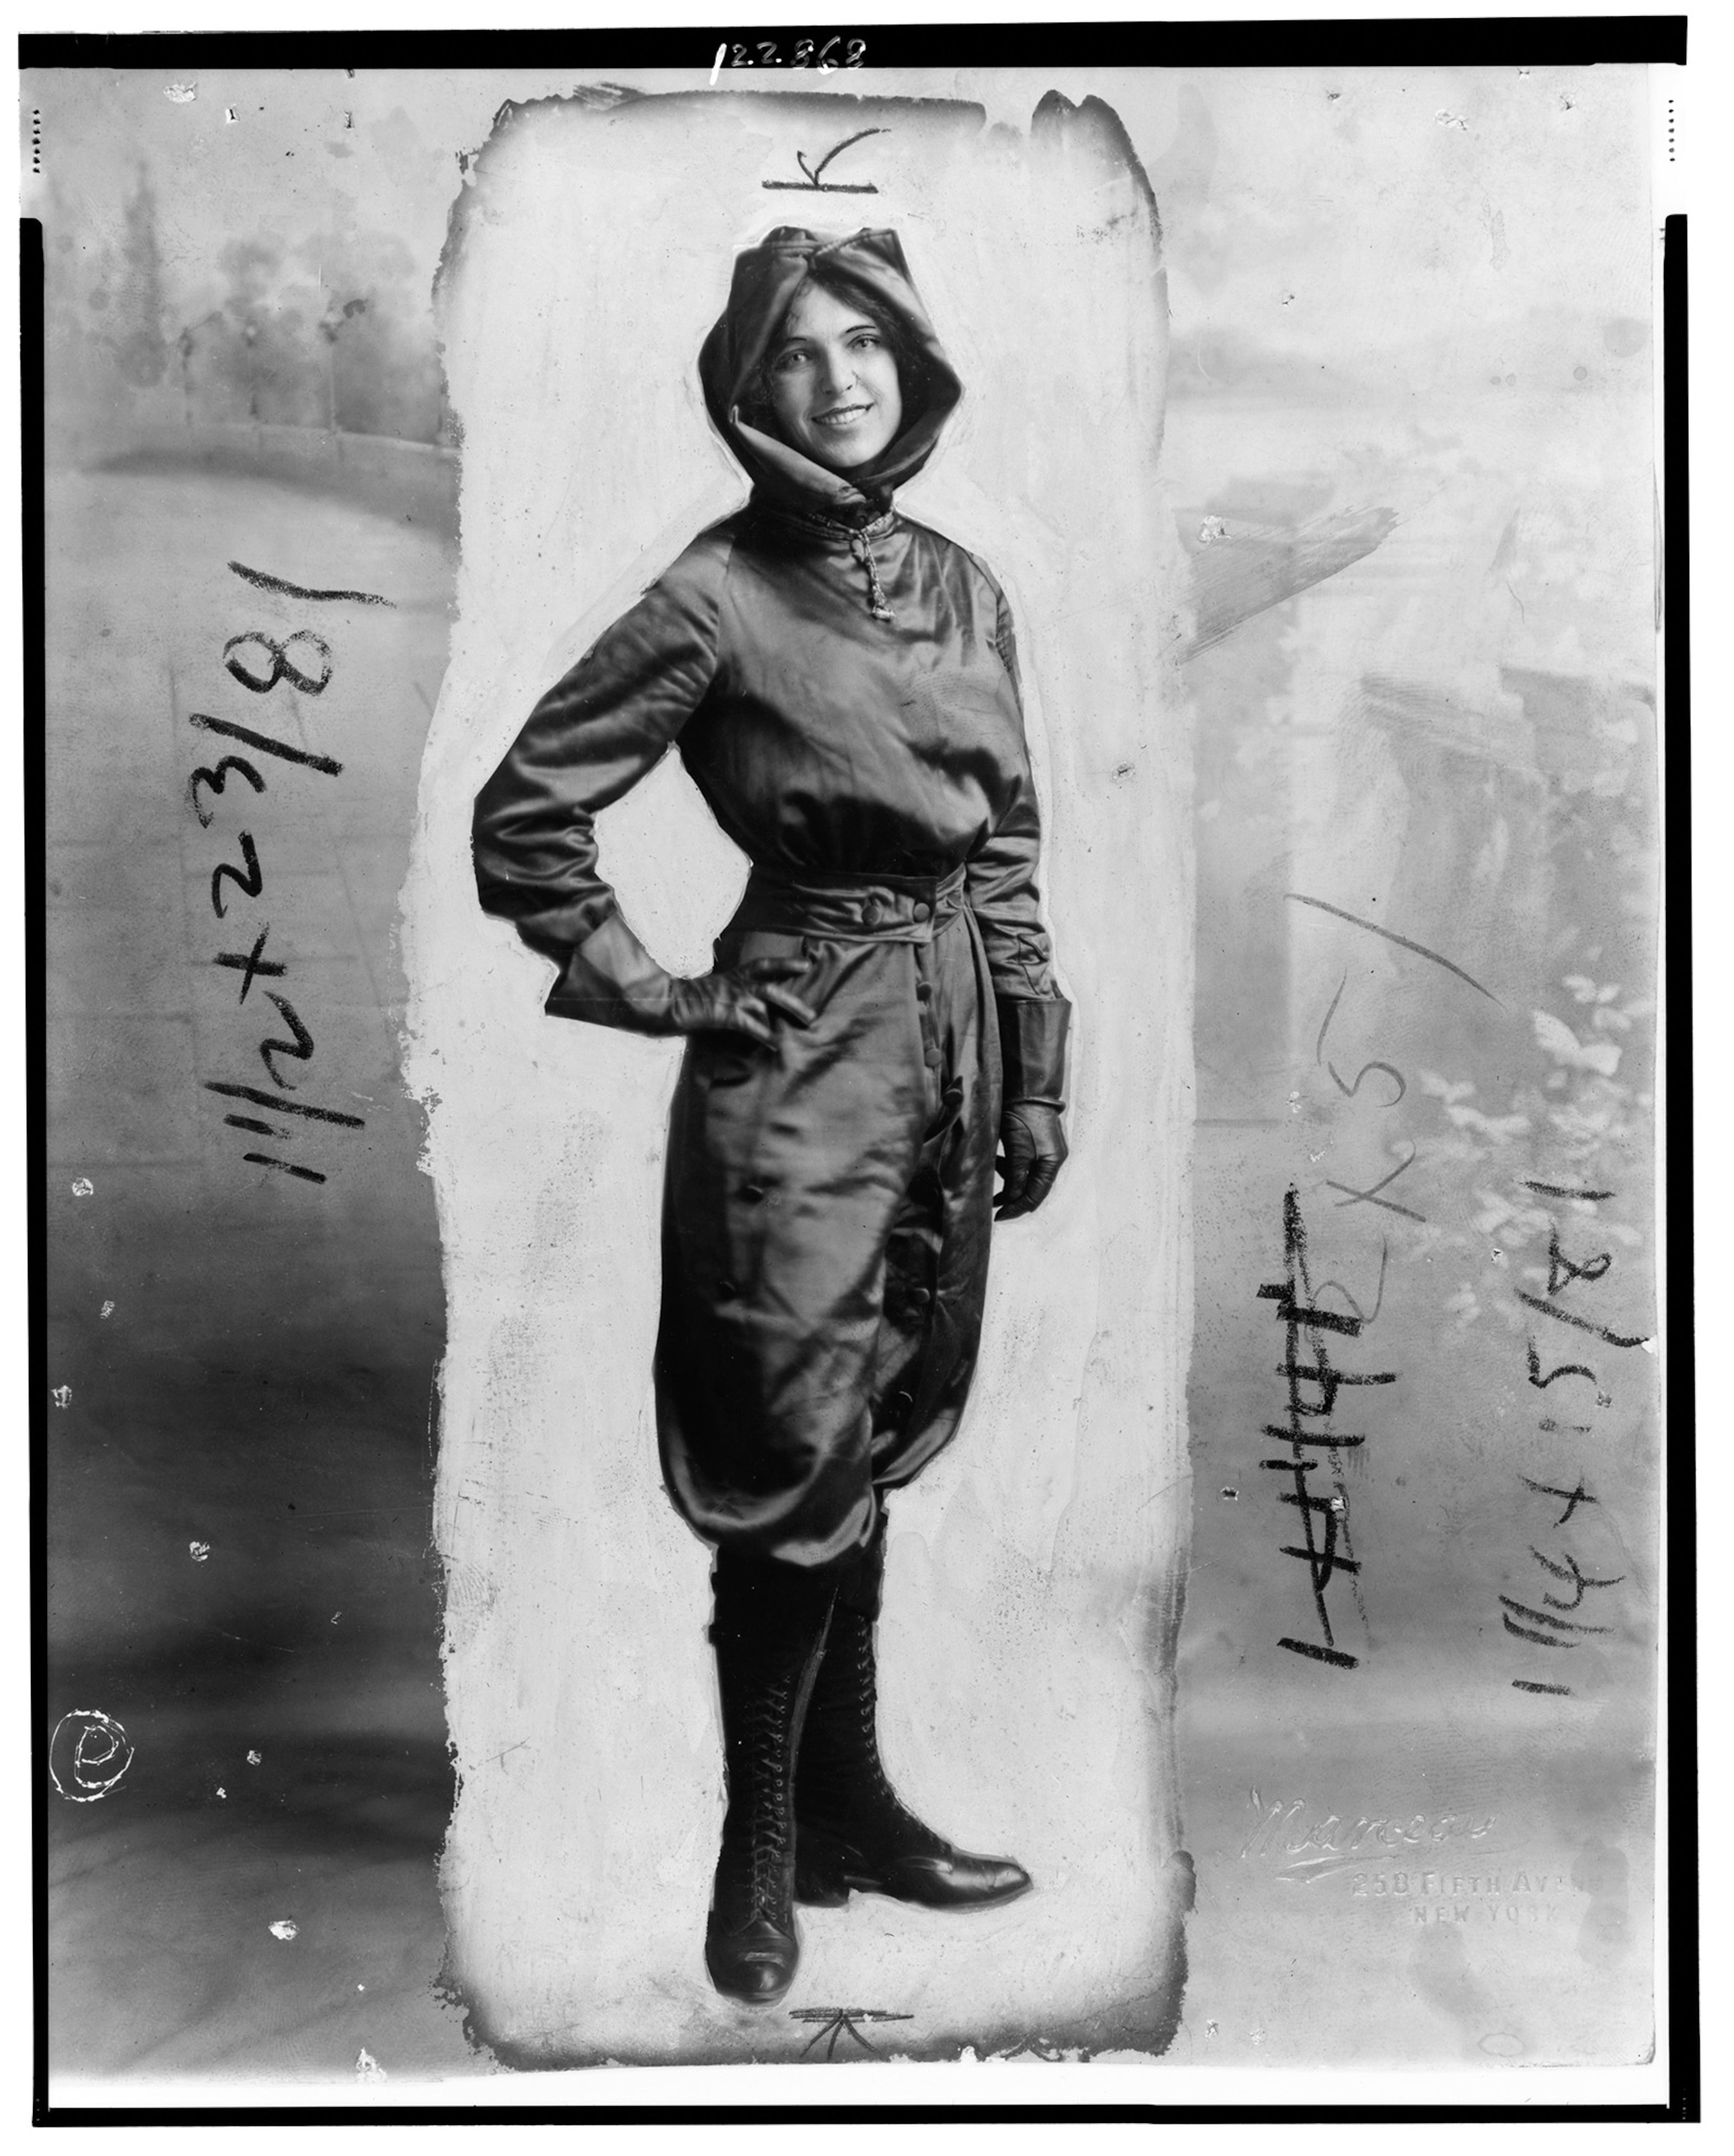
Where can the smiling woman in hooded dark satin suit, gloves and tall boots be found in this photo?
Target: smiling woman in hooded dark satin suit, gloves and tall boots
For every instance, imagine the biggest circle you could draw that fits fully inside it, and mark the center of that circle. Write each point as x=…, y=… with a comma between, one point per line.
x=879, y=1025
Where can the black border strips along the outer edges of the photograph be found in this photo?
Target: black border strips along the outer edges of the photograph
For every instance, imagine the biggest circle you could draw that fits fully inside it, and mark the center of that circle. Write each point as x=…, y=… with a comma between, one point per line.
x=1535, y=42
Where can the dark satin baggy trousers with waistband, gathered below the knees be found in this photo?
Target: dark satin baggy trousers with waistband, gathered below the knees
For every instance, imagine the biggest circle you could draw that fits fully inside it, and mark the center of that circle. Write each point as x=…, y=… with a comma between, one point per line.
x=827, y=1219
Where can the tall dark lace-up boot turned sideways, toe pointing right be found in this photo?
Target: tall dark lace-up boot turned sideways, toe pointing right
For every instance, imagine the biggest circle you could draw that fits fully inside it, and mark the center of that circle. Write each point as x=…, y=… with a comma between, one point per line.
x=853, y=1832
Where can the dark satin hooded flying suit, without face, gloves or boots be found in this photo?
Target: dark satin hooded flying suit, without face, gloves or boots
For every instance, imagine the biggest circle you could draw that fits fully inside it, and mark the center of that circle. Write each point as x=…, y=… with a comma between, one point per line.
x=842, y=687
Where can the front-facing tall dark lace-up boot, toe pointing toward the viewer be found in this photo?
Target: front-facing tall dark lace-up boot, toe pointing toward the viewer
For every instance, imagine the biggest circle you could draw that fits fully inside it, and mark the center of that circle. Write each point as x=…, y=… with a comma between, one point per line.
x=769, y=1637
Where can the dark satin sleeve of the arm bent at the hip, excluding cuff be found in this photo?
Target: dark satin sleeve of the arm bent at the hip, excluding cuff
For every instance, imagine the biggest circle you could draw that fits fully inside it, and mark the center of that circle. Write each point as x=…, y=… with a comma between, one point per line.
x=590, y=741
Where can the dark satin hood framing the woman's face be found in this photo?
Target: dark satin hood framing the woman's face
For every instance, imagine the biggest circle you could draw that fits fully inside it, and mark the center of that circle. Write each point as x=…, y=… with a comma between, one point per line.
x=767, y=281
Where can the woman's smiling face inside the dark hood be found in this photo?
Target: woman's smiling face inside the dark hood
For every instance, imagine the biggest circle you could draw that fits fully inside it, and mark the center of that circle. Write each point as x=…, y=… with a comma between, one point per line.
x=834, y=383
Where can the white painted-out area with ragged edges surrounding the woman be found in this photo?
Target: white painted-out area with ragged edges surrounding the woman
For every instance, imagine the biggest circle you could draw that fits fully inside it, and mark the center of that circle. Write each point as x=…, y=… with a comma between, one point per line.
x=1034, y=1573
